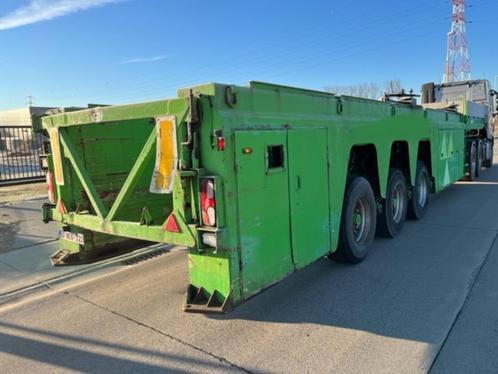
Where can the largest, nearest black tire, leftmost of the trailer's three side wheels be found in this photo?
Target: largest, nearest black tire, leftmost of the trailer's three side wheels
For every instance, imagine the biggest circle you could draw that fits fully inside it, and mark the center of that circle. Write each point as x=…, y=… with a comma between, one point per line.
x=350, y=249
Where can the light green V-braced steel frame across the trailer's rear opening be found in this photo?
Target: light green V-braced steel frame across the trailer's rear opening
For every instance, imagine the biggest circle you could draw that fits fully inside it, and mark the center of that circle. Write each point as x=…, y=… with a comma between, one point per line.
x=104, y=220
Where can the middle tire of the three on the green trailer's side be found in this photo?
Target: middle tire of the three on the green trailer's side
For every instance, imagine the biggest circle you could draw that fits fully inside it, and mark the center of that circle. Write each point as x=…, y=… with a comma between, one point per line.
x=389, y=222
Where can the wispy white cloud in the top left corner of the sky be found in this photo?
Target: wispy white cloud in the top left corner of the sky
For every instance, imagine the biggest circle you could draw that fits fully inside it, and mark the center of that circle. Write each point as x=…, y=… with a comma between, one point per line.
x=45, y=10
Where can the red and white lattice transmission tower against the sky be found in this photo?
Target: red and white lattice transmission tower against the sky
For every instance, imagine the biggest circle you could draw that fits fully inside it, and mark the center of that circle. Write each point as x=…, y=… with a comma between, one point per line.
x=457, y=57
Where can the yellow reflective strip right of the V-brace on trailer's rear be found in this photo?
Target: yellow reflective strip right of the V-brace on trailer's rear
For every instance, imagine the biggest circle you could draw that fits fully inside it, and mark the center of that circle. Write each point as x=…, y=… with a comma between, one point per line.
x=166, y=156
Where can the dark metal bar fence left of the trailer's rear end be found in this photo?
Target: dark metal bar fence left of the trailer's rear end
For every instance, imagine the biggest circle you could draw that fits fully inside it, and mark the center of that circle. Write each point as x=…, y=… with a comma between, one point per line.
x=20, y=151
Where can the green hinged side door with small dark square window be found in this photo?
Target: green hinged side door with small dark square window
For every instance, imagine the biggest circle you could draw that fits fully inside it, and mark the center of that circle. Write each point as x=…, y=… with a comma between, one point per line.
x=263, y=202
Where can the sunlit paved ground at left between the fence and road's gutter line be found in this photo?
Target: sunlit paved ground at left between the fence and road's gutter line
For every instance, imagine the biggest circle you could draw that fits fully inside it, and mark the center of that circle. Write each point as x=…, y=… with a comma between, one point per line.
x=26, y=245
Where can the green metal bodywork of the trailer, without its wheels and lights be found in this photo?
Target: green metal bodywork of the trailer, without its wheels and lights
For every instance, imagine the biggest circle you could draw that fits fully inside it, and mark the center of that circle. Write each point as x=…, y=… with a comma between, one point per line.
x=280, y=175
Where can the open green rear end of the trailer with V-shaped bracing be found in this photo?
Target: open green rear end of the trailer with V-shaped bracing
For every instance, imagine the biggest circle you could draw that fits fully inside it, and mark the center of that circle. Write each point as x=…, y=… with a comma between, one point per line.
x=107, y=158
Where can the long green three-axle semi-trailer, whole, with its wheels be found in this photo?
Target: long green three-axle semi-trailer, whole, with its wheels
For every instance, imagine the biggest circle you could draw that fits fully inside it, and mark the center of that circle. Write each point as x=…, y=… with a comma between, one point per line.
x=257, y=181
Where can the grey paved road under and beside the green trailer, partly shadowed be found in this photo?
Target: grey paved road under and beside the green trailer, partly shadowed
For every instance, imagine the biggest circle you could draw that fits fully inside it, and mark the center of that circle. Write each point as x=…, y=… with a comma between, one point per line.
x=425, y=301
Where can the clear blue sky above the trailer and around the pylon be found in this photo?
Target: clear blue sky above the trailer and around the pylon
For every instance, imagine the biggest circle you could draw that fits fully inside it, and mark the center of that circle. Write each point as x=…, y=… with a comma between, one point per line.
x=74, y=52
